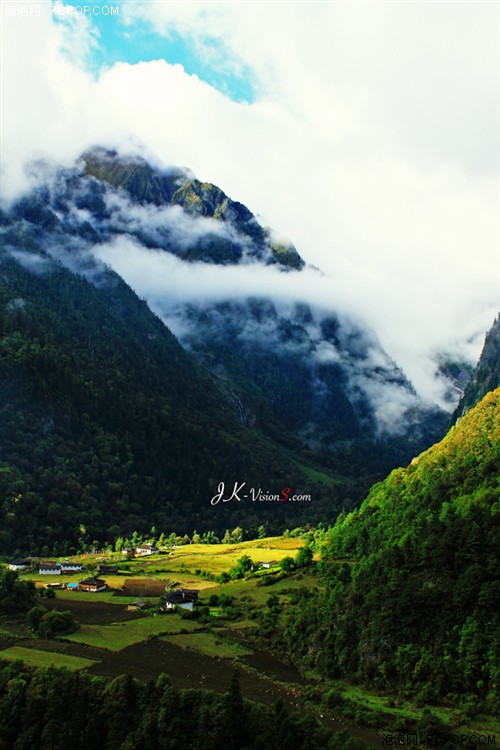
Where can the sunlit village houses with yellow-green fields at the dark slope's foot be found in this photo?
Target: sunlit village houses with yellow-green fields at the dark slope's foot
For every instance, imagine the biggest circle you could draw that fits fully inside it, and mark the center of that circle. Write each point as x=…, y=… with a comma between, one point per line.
x=141, y=572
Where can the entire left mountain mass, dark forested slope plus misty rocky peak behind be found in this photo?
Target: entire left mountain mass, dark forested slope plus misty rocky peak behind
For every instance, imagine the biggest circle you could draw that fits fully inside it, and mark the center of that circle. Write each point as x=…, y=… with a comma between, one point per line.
x=109, y=422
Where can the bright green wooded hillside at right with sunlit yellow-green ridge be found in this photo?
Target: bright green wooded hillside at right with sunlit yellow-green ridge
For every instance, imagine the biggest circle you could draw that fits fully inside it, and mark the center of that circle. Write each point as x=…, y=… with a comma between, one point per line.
x=410, y=580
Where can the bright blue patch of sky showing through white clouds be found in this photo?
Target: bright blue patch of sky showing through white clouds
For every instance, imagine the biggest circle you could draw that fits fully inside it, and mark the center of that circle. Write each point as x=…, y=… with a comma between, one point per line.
x=139, y=41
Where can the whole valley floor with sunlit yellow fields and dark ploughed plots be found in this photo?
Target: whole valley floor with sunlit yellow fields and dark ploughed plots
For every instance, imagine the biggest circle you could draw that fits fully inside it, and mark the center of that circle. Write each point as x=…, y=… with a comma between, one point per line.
x=203, y=653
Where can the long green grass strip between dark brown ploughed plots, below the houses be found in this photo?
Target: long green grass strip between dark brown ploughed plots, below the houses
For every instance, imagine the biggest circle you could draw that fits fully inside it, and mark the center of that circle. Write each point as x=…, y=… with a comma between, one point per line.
x=119, y=635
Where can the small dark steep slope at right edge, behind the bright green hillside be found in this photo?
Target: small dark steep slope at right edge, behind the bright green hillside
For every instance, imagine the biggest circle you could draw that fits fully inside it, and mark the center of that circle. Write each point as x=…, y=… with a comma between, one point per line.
x=486, y=375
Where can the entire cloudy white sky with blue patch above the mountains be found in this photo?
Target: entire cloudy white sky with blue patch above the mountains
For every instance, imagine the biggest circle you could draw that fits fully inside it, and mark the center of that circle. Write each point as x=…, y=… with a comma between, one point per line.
x=365, y=132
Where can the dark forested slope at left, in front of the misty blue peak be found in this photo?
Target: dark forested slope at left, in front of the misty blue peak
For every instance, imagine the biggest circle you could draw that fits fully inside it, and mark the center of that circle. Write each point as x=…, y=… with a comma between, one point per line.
x=108, y=425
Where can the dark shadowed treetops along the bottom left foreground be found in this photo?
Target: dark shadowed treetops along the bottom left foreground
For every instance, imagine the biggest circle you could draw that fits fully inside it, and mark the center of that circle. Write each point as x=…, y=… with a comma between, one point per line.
x=51, y=709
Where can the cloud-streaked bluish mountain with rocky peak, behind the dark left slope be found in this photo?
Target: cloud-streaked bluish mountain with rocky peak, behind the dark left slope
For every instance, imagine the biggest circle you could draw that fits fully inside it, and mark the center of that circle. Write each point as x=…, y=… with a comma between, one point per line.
x=301, y=374
